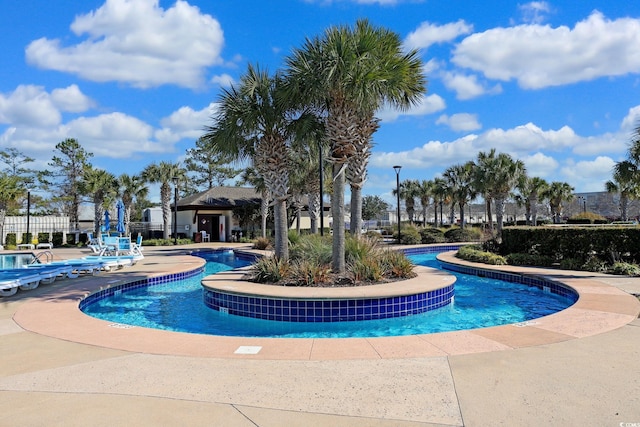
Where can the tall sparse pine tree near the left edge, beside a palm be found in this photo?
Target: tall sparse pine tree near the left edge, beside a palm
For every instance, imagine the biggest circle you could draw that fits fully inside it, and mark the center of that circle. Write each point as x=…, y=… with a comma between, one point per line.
x=68, y=165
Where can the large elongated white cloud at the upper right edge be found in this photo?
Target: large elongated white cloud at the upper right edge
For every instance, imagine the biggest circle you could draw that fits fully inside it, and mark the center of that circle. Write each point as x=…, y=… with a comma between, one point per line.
x=539, y=56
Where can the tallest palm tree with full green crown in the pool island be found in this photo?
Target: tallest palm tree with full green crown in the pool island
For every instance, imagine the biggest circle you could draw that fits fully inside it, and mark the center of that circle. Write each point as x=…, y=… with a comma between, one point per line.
x=348, y=74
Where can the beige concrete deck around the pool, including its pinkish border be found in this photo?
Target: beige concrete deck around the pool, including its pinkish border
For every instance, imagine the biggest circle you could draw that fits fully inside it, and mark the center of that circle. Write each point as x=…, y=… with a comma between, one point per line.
x=61, y=367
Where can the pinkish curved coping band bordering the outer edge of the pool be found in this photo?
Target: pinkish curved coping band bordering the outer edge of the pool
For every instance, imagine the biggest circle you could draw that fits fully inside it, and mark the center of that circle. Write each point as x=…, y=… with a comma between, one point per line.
x=600, y=308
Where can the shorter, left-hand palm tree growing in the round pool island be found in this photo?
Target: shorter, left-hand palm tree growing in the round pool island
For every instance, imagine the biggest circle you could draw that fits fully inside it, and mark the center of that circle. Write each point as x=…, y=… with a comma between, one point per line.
x=257, y=121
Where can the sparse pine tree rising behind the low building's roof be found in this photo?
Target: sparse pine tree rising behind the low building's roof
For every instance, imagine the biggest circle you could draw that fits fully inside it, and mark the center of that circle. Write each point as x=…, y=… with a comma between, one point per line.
x=207, y=167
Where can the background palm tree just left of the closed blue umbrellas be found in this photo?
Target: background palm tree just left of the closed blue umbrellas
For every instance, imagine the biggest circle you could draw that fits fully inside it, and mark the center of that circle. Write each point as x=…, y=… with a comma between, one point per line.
x=102, y=187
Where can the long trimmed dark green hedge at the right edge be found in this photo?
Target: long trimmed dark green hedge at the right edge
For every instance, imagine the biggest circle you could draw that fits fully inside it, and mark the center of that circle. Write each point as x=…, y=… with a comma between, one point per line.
x=581, y=243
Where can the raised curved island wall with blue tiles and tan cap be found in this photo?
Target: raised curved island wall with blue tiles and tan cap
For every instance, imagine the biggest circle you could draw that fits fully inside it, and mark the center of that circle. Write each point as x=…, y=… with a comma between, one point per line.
x=229, y=293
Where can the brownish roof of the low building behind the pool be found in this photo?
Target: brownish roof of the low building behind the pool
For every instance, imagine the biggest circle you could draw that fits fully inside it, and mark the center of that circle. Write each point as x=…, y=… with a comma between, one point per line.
x=221, y=198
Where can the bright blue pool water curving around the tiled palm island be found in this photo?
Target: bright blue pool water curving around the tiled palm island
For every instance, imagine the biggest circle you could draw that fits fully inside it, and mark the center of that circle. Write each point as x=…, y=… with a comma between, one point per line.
x=178, y=306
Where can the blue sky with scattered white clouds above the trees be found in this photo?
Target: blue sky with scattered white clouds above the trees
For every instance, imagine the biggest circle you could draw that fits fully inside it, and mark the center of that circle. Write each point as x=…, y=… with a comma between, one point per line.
x=555, y=84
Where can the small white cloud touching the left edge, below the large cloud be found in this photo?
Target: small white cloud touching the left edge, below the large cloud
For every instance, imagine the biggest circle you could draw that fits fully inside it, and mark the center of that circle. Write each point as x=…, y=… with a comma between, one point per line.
x=29, y=105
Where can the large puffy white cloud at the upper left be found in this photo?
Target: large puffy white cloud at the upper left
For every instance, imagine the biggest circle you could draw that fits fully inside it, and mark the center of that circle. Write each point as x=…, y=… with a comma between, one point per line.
x=137, y=42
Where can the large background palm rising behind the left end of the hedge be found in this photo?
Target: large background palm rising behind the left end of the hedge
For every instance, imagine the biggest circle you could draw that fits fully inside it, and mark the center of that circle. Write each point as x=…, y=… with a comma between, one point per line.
x=495, y=177
